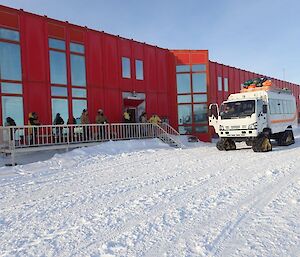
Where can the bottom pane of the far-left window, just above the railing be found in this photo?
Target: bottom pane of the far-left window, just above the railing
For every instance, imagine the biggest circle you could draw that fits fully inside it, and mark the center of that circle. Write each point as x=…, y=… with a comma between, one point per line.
x=12, y=106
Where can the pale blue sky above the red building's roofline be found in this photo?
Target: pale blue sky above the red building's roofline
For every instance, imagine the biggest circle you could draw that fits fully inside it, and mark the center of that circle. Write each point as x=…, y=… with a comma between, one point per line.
x=258, y=35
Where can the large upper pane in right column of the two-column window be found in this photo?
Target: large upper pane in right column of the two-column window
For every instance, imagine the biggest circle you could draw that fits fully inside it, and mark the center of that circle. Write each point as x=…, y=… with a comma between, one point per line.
x=78, y=70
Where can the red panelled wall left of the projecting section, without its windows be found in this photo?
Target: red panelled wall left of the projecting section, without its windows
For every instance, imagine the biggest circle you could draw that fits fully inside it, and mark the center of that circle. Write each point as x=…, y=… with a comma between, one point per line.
x=103, y=55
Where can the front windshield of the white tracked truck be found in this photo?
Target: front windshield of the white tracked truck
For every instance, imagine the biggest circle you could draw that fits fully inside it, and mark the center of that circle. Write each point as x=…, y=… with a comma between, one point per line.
x=238, y=109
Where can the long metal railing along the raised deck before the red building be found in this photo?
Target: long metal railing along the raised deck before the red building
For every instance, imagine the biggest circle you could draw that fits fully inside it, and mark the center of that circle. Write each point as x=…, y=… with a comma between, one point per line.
x=19, y=137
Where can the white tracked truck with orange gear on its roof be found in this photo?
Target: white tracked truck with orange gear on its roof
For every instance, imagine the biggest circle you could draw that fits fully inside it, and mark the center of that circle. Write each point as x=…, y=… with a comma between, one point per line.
x=255, y=116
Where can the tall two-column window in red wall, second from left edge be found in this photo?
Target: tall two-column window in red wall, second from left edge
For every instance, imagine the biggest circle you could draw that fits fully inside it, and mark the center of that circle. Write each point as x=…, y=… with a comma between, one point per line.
x=64, y=91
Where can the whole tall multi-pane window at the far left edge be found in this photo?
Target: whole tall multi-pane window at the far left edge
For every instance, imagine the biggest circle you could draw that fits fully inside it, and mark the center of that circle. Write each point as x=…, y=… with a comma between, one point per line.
x=11, y=76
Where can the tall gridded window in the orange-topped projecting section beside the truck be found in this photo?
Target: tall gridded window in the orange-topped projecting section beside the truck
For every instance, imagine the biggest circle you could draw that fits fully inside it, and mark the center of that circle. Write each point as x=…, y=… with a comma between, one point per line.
x=192, y=98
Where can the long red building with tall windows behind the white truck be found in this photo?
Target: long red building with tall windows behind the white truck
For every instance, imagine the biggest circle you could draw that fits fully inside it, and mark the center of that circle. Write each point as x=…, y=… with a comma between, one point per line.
x=49, y=66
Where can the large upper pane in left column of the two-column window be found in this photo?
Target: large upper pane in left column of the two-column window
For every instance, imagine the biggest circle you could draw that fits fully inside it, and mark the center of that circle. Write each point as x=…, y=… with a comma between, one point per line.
x=58, y=72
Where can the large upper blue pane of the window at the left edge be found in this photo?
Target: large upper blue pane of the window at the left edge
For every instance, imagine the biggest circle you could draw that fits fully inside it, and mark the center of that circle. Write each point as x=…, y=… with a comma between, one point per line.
x=10, y=61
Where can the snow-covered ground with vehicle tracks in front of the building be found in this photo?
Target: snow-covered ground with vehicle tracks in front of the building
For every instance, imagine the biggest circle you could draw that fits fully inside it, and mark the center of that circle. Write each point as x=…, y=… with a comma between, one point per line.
x=142, y=198
